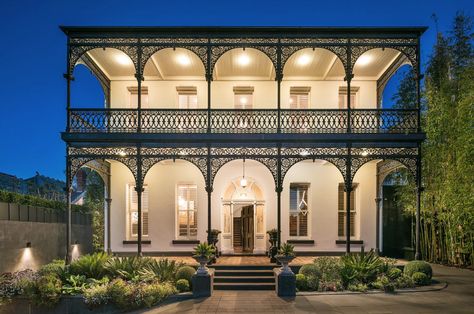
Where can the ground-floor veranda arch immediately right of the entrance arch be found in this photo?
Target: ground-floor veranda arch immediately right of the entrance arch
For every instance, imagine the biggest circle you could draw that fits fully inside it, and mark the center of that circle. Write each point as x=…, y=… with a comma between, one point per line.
x=311, y=208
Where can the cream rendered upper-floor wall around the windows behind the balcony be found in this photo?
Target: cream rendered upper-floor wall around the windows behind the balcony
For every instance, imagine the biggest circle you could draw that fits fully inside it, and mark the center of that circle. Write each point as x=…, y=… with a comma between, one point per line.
x=324, y=94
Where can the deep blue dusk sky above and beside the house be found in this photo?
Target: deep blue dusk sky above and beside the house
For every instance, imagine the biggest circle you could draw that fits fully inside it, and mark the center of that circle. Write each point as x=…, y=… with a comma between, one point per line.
x=33, y=54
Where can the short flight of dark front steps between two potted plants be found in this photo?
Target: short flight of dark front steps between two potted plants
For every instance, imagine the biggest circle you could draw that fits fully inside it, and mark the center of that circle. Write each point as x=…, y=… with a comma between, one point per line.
x=244, y=277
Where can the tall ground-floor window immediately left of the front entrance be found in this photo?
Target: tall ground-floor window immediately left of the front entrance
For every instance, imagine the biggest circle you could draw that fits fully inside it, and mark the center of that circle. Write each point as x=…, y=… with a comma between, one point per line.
x=187, y=211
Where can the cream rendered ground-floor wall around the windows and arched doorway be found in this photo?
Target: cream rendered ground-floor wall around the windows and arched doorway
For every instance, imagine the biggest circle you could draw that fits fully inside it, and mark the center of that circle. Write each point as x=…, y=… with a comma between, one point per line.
x=323, y=177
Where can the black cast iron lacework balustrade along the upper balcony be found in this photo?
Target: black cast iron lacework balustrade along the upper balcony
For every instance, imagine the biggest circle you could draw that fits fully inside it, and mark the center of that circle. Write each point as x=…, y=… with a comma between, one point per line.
x=228, y=121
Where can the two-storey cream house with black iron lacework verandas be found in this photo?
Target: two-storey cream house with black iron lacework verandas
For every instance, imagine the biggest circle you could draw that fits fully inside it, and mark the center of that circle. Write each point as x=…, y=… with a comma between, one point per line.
x=242, y=129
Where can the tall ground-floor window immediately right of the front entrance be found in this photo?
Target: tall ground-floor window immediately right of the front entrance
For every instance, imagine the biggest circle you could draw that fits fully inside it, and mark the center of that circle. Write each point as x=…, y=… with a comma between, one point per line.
x=299, y=210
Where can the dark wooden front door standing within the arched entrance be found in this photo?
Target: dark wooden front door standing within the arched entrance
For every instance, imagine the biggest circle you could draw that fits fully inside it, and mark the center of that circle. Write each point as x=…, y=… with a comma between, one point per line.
x=244, y=231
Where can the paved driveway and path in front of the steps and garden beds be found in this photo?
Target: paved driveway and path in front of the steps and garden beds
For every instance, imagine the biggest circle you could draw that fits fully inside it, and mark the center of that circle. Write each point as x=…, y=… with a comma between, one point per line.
x=458, y=297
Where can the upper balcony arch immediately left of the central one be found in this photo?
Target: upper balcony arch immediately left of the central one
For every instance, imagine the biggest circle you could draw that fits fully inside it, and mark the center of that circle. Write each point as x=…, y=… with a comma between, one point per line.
x=174, y=78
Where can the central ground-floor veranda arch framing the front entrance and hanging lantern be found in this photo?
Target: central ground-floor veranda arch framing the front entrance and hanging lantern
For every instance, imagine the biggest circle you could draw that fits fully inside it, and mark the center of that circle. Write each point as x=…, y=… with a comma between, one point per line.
x=243, y=209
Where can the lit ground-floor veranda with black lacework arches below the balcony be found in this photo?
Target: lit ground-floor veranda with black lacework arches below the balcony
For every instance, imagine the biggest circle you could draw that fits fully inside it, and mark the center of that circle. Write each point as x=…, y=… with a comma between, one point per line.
x=141, y=183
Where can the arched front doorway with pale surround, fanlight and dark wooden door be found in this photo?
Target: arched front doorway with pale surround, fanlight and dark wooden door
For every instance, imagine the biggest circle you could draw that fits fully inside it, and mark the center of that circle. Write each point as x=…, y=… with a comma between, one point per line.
x=243, y=208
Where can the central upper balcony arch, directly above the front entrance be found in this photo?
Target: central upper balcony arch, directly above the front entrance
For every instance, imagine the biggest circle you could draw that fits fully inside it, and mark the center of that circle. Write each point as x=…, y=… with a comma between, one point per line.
x=244, y=78
